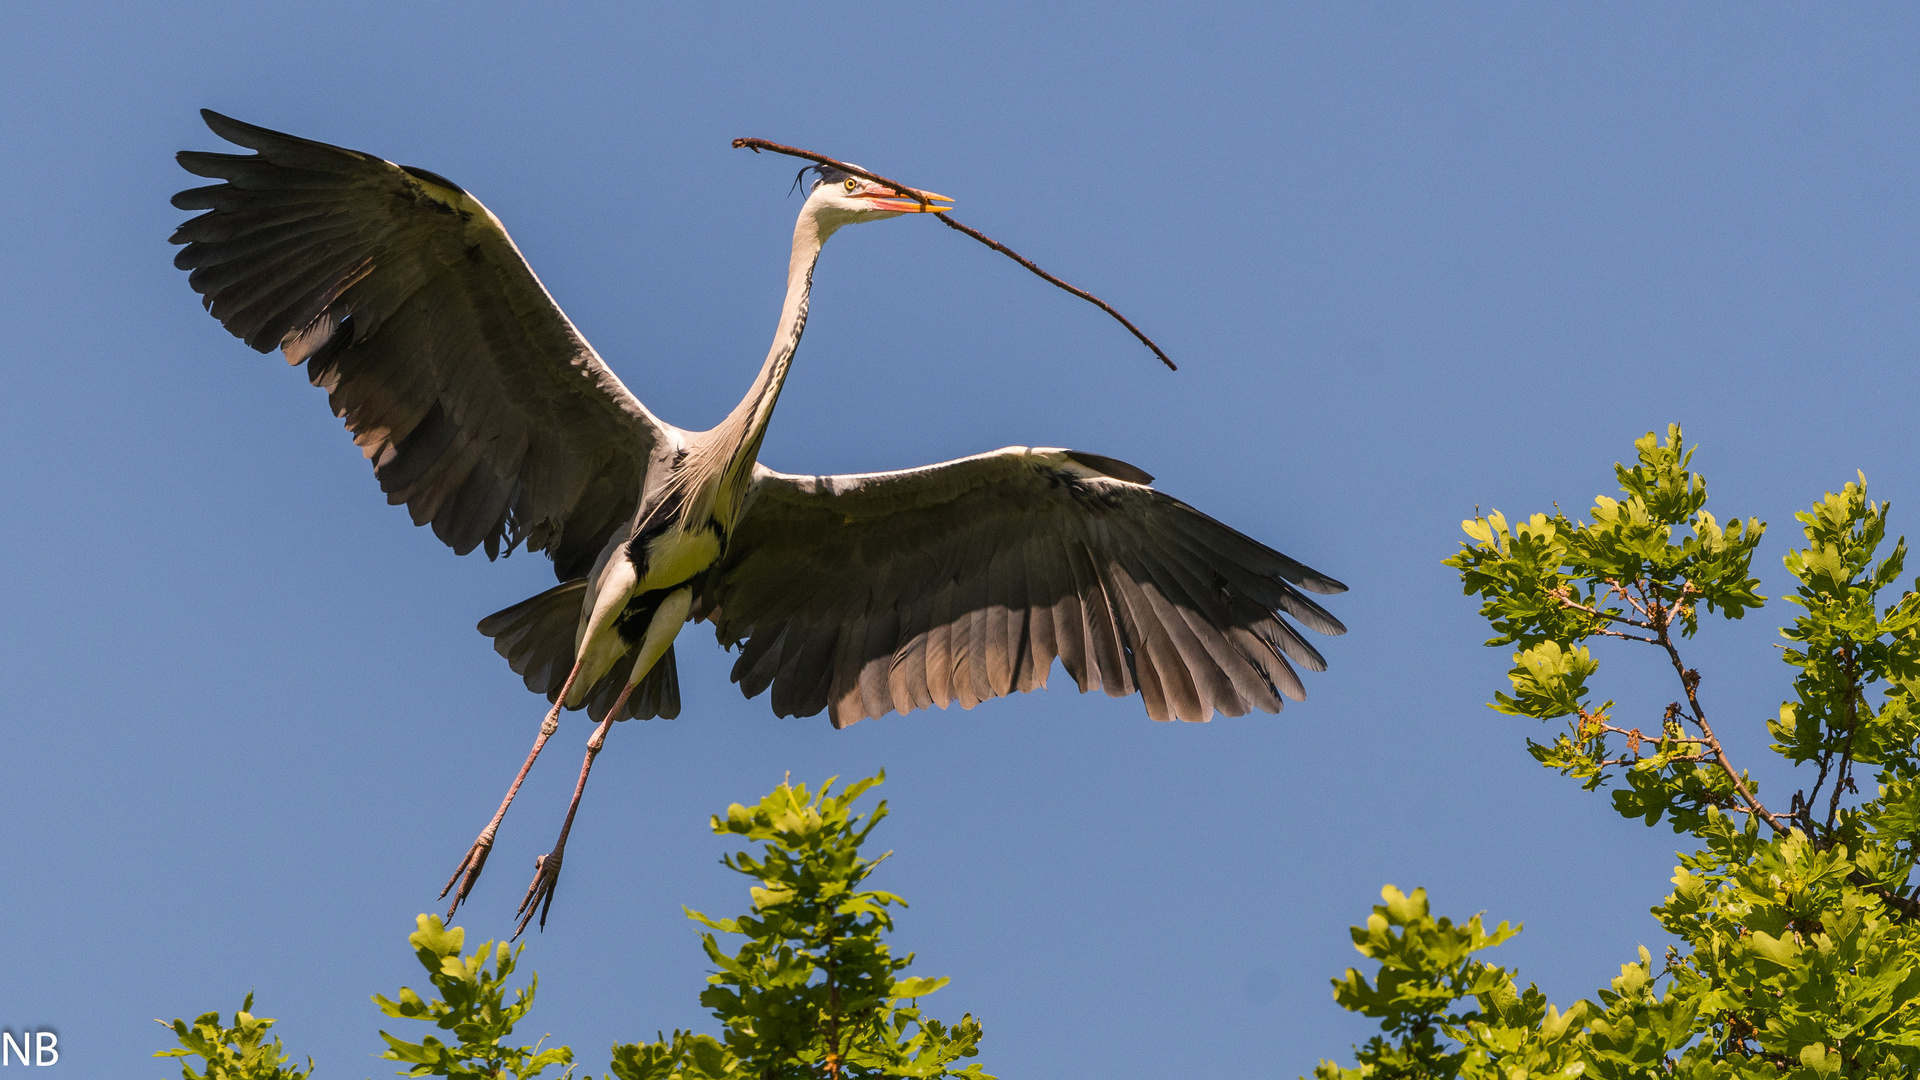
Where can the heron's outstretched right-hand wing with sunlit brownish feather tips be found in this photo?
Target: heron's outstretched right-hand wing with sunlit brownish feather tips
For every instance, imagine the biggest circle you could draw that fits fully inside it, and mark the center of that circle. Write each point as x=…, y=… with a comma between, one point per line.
x=965, y=581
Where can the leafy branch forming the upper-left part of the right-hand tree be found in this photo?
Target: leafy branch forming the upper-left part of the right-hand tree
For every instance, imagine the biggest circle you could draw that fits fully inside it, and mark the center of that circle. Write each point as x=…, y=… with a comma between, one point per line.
x=1552, y=583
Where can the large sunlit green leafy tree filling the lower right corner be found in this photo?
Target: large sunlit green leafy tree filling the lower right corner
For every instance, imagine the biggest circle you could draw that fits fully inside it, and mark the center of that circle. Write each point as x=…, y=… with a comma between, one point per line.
x=1800, y=950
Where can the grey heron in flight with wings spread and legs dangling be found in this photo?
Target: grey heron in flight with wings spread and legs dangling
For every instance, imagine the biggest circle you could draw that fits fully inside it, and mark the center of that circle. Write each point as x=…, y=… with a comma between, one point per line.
x=492, y=420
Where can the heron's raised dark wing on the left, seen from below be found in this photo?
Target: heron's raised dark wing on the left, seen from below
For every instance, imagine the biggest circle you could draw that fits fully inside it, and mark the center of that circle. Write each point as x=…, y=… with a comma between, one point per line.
x=477, y=401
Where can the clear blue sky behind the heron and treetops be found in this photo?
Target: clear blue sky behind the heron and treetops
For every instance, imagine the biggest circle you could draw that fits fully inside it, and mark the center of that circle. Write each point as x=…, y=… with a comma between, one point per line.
x=1412, y=260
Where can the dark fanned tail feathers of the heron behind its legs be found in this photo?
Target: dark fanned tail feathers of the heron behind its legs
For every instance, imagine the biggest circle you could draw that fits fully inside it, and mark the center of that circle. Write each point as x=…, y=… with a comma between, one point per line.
x=539, y=641
